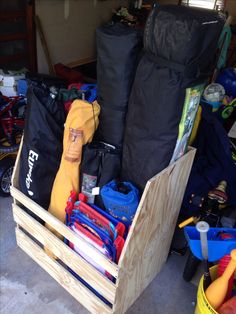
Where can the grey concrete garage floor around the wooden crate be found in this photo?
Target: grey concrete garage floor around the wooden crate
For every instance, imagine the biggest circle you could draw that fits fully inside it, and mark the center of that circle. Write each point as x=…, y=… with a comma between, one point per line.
x=27, y=289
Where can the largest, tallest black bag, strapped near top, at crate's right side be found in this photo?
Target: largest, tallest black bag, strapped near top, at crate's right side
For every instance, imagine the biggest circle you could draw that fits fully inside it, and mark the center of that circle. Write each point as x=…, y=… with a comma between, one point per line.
x=179, y=48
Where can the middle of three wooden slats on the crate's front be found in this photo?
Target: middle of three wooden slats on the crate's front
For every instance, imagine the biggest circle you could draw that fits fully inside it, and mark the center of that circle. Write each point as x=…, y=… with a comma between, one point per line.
x=93, y=277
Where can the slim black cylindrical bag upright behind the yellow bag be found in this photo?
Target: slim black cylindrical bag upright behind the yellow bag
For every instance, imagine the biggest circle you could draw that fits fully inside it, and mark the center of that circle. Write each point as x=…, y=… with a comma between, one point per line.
x=118, y=50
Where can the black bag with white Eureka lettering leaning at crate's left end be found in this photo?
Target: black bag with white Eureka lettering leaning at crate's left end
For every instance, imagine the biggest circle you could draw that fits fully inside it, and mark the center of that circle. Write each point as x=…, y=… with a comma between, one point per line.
x=42, y=145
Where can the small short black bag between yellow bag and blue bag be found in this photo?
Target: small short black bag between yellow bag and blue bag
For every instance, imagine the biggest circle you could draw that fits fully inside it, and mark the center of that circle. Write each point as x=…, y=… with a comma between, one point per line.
x=101, y=161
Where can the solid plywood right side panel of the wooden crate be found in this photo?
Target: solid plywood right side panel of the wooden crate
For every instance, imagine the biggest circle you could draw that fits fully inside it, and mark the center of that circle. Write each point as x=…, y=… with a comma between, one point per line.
x=149, y=239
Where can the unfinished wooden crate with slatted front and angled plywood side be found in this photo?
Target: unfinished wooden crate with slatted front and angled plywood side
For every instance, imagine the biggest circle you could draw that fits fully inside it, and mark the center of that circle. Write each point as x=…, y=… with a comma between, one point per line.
x=145, y=251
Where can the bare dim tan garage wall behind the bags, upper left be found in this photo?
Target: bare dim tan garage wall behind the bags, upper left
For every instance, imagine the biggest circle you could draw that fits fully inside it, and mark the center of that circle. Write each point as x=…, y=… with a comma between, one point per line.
x=69, y=27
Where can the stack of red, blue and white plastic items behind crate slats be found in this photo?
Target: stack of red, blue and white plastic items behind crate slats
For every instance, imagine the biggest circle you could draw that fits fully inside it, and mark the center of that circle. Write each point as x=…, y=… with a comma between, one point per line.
x=102, y=230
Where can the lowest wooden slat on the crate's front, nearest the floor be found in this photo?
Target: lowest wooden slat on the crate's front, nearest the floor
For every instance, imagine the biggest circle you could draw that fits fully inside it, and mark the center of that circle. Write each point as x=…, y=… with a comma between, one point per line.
x=61, y=275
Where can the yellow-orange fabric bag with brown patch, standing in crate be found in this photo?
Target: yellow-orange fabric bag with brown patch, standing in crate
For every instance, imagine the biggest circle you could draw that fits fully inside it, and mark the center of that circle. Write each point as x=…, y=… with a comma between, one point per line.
x=81, y=123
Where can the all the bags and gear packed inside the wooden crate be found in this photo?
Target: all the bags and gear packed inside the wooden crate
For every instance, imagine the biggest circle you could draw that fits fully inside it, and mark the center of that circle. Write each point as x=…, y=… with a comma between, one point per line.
x=179, y=46
